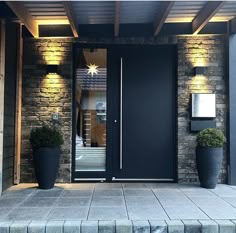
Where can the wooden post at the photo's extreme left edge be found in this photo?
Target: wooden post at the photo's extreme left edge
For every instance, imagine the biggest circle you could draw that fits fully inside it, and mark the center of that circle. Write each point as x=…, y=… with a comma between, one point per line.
x=2, y=83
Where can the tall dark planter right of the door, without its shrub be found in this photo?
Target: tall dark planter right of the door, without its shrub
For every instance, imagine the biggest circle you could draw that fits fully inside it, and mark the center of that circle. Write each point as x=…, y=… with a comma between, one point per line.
x=209, y=161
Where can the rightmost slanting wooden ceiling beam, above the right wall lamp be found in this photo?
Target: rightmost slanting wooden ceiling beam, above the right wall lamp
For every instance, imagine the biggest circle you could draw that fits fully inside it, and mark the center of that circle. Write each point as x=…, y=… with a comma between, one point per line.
x=205, y=15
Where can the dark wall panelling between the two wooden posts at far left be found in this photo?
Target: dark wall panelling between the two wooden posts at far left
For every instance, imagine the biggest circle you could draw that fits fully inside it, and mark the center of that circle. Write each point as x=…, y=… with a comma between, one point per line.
x=9, y=104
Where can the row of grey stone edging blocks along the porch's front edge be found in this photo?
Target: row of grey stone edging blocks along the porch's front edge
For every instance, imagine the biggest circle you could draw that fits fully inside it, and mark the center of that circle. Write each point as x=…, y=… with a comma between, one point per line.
x=121, y=226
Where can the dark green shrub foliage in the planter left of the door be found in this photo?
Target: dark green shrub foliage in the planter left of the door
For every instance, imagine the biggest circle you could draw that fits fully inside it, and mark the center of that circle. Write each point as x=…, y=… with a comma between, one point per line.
x=45, y=137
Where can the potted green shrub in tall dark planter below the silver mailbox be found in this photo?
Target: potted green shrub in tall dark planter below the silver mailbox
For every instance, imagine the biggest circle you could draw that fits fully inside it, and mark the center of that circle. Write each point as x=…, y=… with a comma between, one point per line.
x=210, y=144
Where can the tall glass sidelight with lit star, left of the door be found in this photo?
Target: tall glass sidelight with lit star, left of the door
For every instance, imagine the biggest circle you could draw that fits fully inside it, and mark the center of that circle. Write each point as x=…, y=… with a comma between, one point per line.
x=91, y=106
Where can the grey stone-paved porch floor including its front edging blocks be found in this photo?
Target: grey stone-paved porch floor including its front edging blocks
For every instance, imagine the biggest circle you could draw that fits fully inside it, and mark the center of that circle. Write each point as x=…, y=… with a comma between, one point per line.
x=111, y=207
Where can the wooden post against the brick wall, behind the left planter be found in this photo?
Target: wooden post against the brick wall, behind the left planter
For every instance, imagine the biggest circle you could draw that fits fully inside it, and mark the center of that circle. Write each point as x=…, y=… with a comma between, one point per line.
x=18, y=106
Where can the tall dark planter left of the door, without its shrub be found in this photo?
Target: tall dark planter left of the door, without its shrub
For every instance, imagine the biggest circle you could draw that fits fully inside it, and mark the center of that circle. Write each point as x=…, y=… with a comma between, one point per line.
x=46, y=163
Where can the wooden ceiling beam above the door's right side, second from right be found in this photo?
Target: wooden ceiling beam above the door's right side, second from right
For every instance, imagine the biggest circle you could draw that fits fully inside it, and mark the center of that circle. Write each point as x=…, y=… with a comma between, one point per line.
x=163, y=12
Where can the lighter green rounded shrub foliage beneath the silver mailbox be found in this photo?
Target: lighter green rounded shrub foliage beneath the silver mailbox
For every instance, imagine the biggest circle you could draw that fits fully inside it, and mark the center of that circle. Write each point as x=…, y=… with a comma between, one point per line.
x=211, y=137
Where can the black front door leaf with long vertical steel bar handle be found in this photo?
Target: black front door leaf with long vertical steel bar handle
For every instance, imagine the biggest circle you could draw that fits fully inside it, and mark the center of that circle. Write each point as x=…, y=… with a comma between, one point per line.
x=143, y=113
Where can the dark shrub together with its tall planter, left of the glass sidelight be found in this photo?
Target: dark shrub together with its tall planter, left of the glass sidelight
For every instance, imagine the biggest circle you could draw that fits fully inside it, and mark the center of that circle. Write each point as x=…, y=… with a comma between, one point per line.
x=46, y=142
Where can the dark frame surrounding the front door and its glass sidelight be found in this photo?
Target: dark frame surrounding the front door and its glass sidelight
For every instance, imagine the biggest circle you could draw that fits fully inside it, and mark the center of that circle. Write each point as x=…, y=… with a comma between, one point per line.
x=107, y=175
